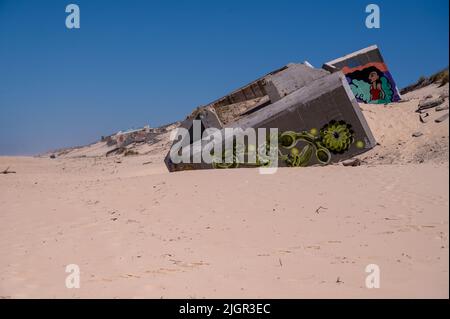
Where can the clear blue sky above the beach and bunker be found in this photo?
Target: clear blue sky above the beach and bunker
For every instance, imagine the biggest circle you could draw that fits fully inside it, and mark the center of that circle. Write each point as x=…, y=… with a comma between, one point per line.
x=151, y=62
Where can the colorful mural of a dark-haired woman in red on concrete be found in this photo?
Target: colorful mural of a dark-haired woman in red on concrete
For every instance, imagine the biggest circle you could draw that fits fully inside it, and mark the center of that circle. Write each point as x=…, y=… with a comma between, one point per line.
x=372, y=83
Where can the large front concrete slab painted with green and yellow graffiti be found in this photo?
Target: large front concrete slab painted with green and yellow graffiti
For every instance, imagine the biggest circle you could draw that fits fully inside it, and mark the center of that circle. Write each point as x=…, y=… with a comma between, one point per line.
x=323, y=115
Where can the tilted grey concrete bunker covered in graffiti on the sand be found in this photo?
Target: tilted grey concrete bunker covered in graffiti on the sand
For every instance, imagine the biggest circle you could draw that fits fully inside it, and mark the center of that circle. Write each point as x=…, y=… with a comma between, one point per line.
x=316, y=113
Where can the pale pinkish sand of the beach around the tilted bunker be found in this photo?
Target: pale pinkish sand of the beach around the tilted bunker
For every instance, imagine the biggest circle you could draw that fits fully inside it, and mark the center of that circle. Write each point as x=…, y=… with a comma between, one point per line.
x=138, y=231
